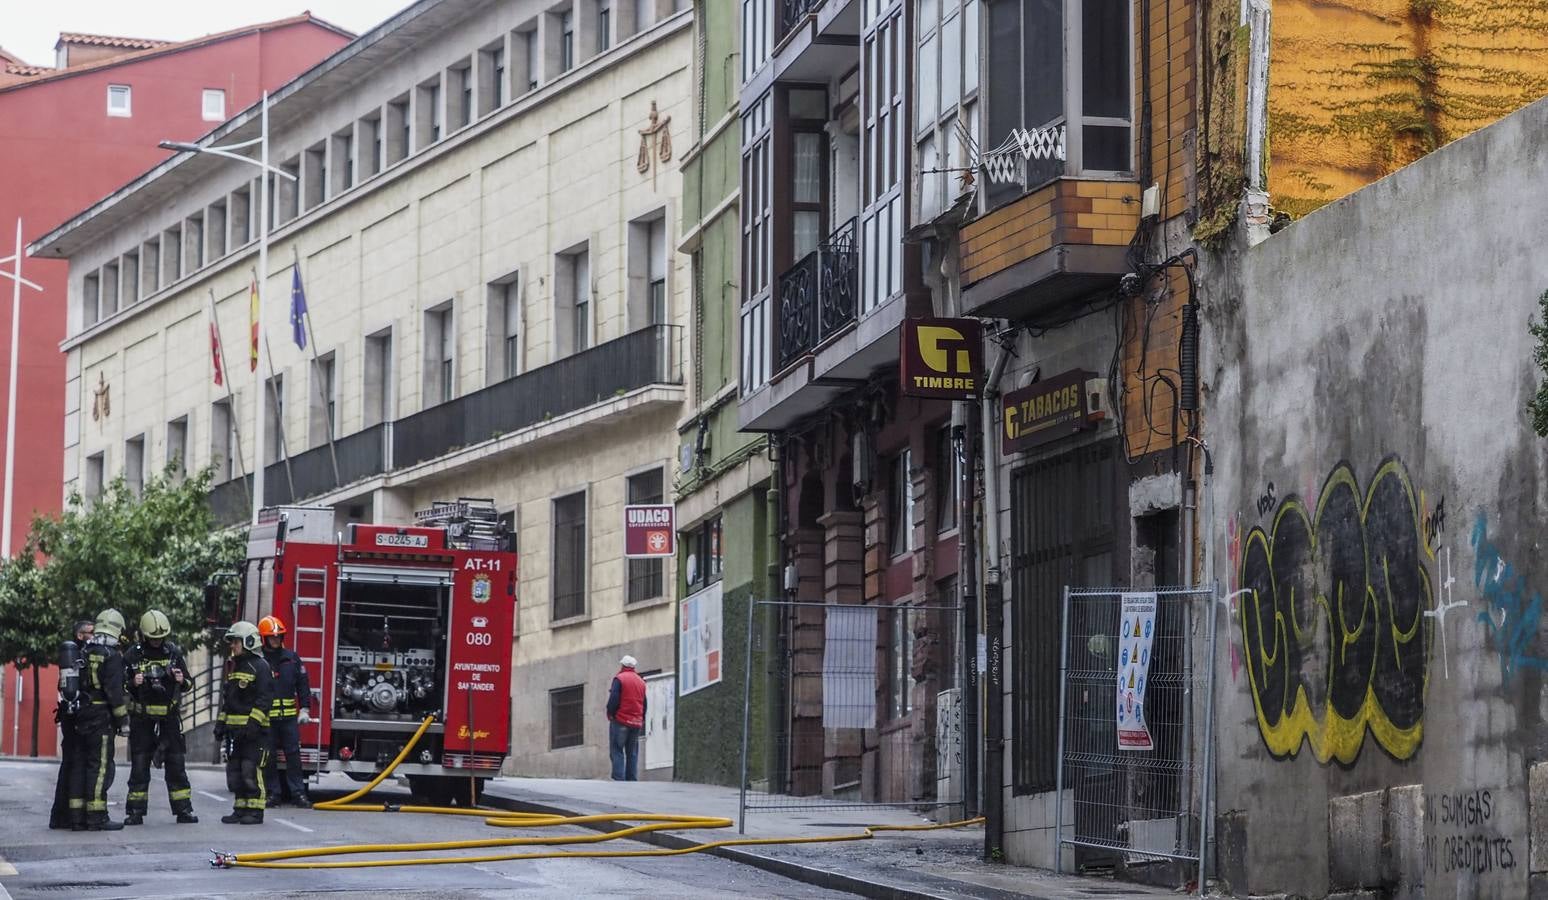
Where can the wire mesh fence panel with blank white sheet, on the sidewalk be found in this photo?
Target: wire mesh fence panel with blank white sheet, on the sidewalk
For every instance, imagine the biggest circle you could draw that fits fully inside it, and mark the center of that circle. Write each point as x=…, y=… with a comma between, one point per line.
x=857, y=709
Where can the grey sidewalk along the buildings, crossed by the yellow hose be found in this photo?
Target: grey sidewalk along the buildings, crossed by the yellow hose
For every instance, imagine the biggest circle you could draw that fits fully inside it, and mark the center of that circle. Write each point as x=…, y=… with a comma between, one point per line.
x=896, y=867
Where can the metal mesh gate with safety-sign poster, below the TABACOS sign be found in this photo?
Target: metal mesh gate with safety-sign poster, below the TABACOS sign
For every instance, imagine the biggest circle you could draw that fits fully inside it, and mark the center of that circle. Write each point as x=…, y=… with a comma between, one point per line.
x=1135, y=723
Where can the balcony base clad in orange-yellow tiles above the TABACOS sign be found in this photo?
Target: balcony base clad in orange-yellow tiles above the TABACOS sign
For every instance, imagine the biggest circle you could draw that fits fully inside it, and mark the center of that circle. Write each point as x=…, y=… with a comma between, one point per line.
x=1055, y=246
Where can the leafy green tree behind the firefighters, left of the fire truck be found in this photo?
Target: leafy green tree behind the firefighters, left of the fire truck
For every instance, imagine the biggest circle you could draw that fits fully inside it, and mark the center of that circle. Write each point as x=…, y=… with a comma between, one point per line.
x=120, y=551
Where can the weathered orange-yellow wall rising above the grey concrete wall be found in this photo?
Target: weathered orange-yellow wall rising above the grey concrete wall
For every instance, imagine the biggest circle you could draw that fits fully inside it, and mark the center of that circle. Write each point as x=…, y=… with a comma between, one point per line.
x=1361, y=89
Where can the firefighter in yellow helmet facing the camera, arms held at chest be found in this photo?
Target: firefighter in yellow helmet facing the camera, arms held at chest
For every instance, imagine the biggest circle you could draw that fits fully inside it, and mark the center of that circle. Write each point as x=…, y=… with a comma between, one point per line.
x=157, y=681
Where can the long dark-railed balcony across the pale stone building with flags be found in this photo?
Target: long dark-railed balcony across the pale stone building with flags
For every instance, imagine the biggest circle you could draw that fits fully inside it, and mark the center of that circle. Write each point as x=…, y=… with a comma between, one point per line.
x=601, y=374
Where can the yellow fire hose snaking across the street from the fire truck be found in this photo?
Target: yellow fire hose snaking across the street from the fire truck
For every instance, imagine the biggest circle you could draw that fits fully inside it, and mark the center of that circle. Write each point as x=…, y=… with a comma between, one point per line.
x=652, y=823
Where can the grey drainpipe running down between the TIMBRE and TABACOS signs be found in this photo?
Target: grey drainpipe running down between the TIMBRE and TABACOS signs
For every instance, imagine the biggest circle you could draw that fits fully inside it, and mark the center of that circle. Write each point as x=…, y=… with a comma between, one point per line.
x=993, y=616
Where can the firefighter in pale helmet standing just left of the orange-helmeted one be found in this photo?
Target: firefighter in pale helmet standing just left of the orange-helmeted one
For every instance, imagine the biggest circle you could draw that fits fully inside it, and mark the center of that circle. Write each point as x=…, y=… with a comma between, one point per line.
x=245, y=723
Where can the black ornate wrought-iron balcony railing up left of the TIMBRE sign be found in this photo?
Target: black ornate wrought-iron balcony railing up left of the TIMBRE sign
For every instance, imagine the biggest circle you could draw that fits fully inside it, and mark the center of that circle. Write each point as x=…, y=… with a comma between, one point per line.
x=817, y=297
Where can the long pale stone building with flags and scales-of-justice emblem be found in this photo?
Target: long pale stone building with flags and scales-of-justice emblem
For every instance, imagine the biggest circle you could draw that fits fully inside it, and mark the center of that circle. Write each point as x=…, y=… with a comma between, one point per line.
x=484, y=211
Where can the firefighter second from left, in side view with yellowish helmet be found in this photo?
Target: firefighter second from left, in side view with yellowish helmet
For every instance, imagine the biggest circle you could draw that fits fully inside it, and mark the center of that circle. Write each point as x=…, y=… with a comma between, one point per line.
x=103, y=716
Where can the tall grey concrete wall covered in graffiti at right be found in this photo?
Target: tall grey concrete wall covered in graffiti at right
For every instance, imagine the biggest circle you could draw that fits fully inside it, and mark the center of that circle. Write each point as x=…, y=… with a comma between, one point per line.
x=1380, y=496
